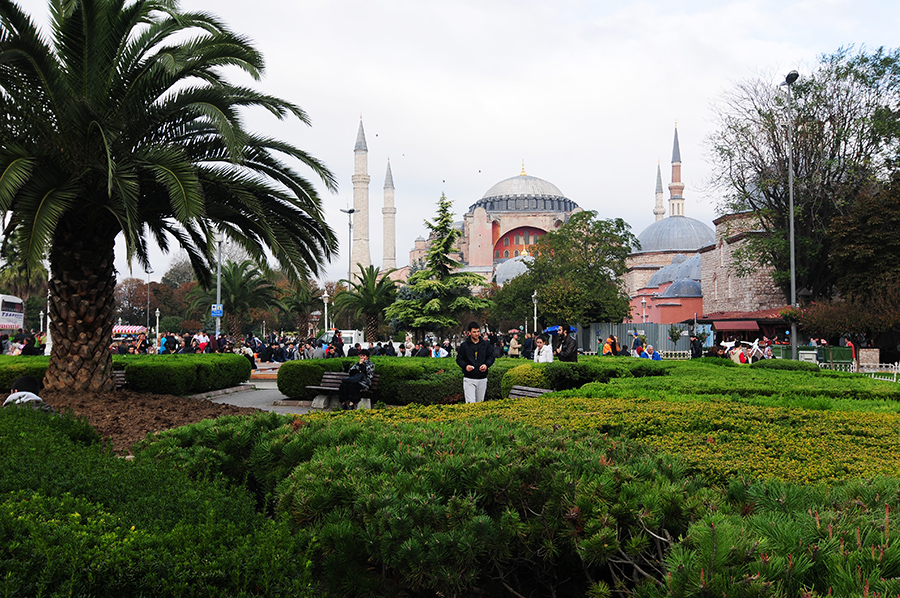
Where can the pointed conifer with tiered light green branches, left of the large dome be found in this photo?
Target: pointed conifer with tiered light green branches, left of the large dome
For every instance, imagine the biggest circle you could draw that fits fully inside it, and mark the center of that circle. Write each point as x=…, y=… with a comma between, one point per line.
x=436, y=295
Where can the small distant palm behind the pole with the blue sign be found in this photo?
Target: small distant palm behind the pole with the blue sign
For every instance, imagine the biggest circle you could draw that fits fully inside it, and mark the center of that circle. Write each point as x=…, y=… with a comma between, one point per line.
x=243, y=288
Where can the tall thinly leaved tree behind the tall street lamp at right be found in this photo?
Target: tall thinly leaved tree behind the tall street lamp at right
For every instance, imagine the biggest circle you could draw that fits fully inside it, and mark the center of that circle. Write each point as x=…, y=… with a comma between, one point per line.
x=844, y=125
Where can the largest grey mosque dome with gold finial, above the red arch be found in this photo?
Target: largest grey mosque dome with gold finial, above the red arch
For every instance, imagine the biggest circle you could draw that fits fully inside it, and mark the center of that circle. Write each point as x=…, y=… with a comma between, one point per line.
x=524, y=193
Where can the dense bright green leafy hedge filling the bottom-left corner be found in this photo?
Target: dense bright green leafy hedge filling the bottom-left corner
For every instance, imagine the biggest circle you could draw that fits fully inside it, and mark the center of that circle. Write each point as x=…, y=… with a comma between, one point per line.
x=77, y=520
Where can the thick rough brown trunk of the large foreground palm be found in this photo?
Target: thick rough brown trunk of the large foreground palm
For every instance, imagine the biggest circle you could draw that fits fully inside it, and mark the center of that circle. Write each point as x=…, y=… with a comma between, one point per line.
x=82, y=307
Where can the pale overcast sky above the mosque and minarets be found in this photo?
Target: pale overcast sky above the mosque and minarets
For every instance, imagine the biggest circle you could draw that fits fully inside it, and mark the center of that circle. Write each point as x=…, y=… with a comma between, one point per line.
x=459, y=93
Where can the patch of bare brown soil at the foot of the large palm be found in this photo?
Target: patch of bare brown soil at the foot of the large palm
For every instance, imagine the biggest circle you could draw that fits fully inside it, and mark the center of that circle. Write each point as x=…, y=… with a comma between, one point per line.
x=127, y=417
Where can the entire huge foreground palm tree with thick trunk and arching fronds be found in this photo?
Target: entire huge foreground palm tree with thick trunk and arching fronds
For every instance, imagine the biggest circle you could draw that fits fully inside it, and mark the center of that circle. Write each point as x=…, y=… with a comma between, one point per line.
x=124, y=124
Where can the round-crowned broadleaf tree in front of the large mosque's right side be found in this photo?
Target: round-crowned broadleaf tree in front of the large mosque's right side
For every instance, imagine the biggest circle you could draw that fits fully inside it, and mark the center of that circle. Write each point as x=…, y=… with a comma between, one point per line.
x=577, y=270
